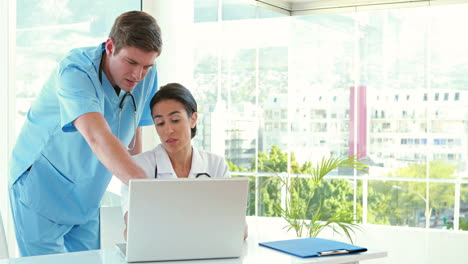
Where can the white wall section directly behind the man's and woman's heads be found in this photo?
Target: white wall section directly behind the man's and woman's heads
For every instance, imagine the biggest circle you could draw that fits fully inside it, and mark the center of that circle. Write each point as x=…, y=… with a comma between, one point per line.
x=175, y=18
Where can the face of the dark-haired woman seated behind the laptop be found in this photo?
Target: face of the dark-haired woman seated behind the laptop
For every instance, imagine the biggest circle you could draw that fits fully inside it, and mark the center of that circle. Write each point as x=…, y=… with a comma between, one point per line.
x=173, y=125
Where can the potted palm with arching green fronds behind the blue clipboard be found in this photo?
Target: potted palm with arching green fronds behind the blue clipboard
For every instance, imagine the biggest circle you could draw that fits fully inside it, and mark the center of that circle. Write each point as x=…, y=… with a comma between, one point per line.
x=305, y=213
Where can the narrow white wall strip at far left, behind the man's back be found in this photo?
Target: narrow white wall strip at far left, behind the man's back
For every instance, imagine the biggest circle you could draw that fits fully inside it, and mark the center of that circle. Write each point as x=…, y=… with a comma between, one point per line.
x=7, y=108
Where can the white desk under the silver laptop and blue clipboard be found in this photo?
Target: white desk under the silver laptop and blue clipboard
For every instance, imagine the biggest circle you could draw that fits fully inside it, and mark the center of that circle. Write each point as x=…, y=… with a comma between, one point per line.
x=259, y=231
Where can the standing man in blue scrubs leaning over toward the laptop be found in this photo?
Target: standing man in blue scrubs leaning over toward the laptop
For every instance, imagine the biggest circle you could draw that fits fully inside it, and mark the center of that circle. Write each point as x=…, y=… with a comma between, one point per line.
x=76, y=135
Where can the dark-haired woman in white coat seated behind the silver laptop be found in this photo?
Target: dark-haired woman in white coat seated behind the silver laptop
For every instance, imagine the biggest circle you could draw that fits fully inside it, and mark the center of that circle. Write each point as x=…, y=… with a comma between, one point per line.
x=174, y=112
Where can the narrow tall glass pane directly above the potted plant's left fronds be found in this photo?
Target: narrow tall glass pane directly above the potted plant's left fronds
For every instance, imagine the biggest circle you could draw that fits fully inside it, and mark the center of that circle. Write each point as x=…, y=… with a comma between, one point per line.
x=273, y=70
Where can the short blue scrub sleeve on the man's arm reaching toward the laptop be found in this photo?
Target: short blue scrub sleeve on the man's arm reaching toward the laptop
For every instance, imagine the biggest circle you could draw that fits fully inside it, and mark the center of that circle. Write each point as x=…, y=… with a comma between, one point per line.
x=77, y=95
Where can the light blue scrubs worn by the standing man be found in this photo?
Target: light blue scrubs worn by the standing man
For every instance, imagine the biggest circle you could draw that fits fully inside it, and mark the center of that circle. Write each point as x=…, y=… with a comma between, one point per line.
x=55, y=203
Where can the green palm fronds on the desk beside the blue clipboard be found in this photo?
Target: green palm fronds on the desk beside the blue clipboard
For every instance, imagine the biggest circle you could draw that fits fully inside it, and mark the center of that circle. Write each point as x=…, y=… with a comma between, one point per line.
x=307, y=211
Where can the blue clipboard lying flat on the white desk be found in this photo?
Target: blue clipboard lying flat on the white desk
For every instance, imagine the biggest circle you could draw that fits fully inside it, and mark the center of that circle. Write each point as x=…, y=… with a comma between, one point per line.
x=313, y=247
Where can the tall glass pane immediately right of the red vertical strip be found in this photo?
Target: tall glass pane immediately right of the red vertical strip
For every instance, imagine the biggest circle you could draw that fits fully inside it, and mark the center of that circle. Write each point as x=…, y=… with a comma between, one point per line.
x=394, y=74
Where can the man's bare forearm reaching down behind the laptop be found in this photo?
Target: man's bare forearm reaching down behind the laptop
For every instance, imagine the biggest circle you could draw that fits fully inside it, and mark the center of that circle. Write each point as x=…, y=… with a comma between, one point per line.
x=107, y=147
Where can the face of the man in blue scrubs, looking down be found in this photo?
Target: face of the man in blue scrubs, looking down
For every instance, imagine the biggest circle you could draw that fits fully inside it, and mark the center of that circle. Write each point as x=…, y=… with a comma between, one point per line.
x=128, y=67
